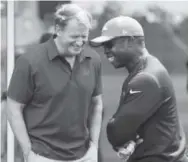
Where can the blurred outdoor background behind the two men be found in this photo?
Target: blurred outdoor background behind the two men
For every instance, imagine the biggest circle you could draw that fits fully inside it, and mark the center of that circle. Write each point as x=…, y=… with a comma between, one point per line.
x=165, y=25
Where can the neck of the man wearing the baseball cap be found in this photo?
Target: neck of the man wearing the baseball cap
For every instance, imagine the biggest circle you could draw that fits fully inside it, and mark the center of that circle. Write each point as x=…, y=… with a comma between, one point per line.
x=137, y=60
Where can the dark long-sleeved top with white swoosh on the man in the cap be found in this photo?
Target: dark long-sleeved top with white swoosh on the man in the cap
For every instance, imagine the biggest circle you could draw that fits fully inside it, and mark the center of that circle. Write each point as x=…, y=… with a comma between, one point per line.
x=148, y=108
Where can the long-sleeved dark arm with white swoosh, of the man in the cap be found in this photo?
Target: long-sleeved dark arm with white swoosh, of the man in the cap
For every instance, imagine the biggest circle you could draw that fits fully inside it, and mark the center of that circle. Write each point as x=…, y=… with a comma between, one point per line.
x=134, y=110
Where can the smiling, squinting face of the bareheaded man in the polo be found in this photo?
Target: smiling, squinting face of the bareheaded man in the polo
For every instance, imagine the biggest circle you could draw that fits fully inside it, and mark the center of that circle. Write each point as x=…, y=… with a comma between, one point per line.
x=73, y=37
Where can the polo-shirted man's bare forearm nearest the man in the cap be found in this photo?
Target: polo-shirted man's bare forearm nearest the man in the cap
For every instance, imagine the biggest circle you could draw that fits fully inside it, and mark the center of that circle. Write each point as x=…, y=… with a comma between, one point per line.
x=96, y=118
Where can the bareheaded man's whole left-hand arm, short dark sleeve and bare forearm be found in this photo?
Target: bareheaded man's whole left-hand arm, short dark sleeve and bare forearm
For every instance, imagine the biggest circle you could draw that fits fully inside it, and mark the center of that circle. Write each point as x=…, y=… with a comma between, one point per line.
x=20, y=92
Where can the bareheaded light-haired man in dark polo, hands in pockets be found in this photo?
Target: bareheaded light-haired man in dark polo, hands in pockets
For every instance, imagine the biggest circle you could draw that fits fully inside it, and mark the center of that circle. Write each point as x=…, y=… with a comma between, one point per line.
x=54, y=89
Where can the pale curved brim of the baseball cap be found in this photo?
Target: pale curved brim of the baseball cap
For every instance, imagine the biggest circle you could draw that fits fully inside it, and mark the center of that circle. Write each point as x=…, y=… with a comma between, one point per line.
x=100, y=40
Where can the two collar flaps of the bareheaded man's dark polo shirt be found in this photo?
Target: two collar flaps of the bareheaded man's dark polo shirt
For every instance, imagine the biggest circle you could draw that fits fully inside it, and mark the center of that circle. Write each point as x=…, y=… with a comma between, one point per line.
x=53, y=52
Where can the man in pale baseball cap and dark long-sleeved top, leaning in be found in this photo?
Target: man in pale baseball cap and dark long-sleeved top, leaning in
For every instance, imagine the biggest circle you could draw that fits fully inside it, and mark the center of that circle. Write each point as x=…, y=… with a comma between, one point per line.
x=147, y=107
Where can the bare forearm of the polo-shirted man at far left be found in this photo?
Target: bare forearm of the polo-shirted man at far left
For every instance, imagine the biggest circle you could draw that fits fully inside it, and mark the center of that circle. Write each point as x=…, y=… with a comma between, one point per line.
x=15, y=118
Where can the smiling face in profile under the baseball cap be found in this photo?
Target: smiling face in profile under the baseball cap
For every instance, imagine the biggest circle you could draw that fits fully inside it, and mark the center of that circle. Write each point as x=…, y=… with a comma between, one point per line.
x=117, y=51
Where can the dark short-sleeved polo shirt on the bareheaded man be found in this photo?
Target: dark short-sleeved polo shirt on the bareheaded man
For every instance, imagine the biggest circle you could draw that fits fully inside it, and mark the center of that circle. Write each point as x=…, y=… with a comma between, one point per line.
x=57, y=99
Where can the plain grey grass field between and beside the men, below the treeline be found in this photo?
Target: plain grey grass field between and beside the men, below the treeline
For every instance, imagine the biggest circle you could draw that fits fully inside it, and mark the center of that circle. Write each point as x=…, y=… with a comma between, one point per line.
x=112, y=88
